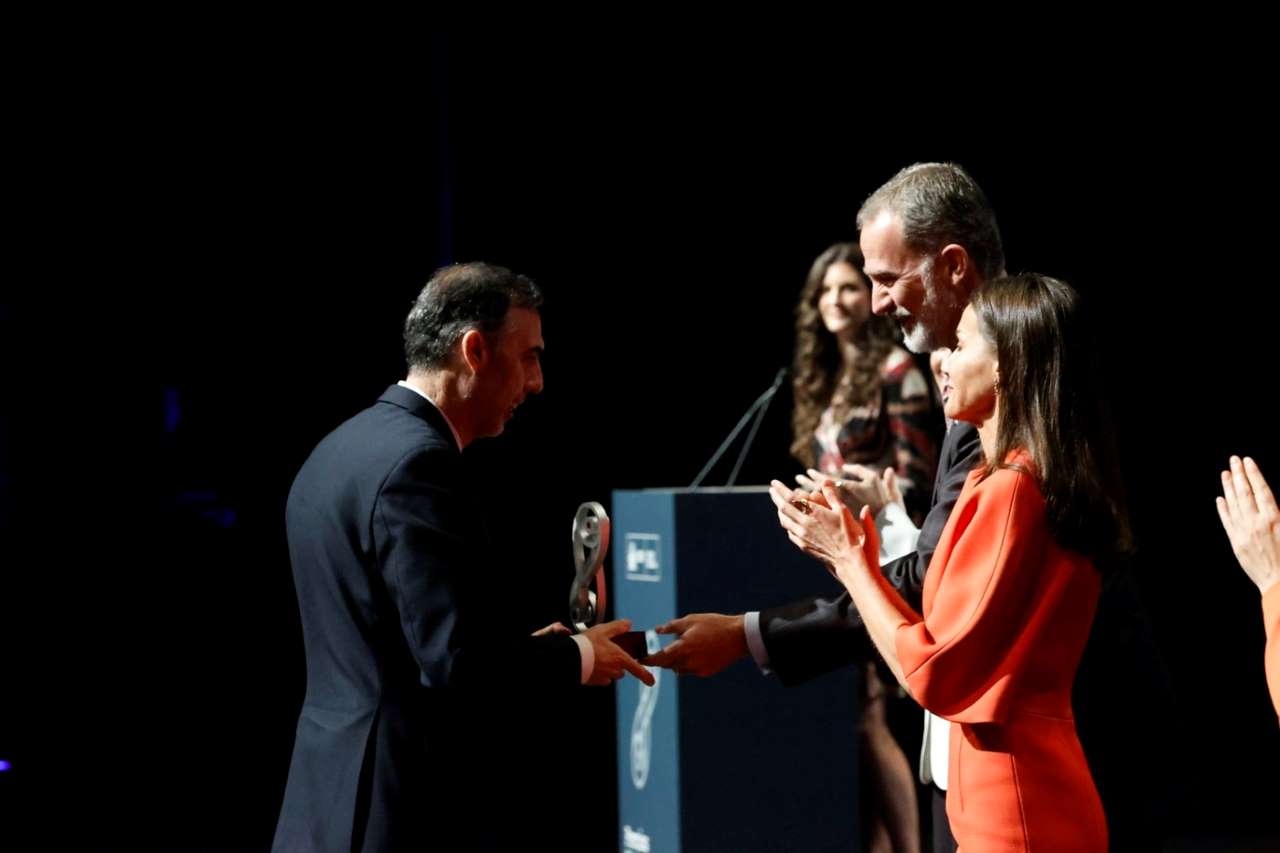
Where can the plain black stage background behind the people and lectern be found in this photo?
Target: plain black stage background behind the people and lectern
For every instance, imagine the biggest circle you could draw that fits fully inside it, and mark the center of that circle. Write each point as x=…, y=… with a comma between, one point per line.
x=223, y=259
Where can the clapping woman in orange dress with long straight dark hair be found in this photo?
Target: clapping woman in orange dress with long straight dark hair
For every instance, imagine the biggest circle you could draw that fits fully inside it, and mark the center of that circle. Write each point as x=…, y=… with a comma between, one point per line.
x=1011, y=592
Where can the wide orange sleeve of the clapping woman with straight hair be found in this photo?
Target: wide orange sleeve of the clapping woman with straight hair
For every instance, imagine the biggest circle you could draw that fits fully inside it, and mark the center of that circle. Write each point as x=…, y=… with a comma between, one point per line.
x=959, y=659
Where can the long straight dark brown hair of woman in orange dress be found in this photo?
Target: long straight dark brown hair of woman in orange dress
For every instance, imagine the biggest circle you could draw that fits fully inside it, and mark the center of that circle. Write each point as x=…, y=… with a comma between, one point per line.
x=1052, y=405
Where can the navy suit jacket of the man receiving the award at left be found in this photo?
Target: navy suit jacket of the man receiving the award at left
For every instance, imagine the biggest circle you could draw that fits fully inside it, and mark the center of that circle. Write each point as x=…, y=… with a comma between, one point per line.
x=388, y=560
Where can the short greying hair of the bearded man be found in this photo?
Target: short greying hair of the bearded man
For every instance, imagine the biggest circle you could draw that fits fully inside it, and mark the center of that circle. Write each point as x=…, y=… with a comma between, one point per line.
x=940, y=204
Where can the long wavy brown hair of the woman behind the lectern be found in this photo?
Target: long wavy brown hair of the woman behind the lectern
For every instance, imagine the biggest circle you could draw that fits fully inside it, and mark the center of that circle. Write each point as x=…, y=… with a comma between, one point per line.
x=817, y=358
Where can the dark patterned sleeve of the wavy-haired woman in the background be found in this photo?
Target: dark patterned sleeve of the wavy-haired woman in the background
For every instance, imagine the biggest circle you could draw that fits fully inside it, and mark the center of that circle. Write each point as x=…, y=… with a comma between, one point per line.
x=916, y=428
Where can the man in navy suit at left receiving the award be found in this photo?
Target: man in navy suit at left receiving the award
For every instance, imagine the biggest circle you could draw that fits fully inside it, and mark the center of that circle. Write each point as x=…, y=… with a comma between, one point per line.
x=390, y=564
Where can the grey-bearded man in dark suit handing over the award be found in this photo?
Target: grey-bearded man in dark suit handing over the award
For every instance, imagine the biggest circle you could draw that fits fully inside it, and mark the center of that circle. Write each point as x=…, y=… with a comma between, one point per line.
x=930, y=239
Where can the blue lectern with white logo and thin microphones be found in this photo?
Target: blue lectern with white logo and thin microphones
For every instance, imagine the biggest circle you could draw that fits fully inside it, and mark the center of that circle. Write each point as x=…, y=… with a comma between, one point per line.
x=734, y=763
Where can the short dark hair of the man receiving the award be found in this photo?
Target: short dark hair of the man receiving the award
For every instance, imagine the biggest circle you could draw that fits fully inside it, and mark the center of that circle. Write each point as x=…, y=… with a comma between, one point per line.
x=460, y=298
